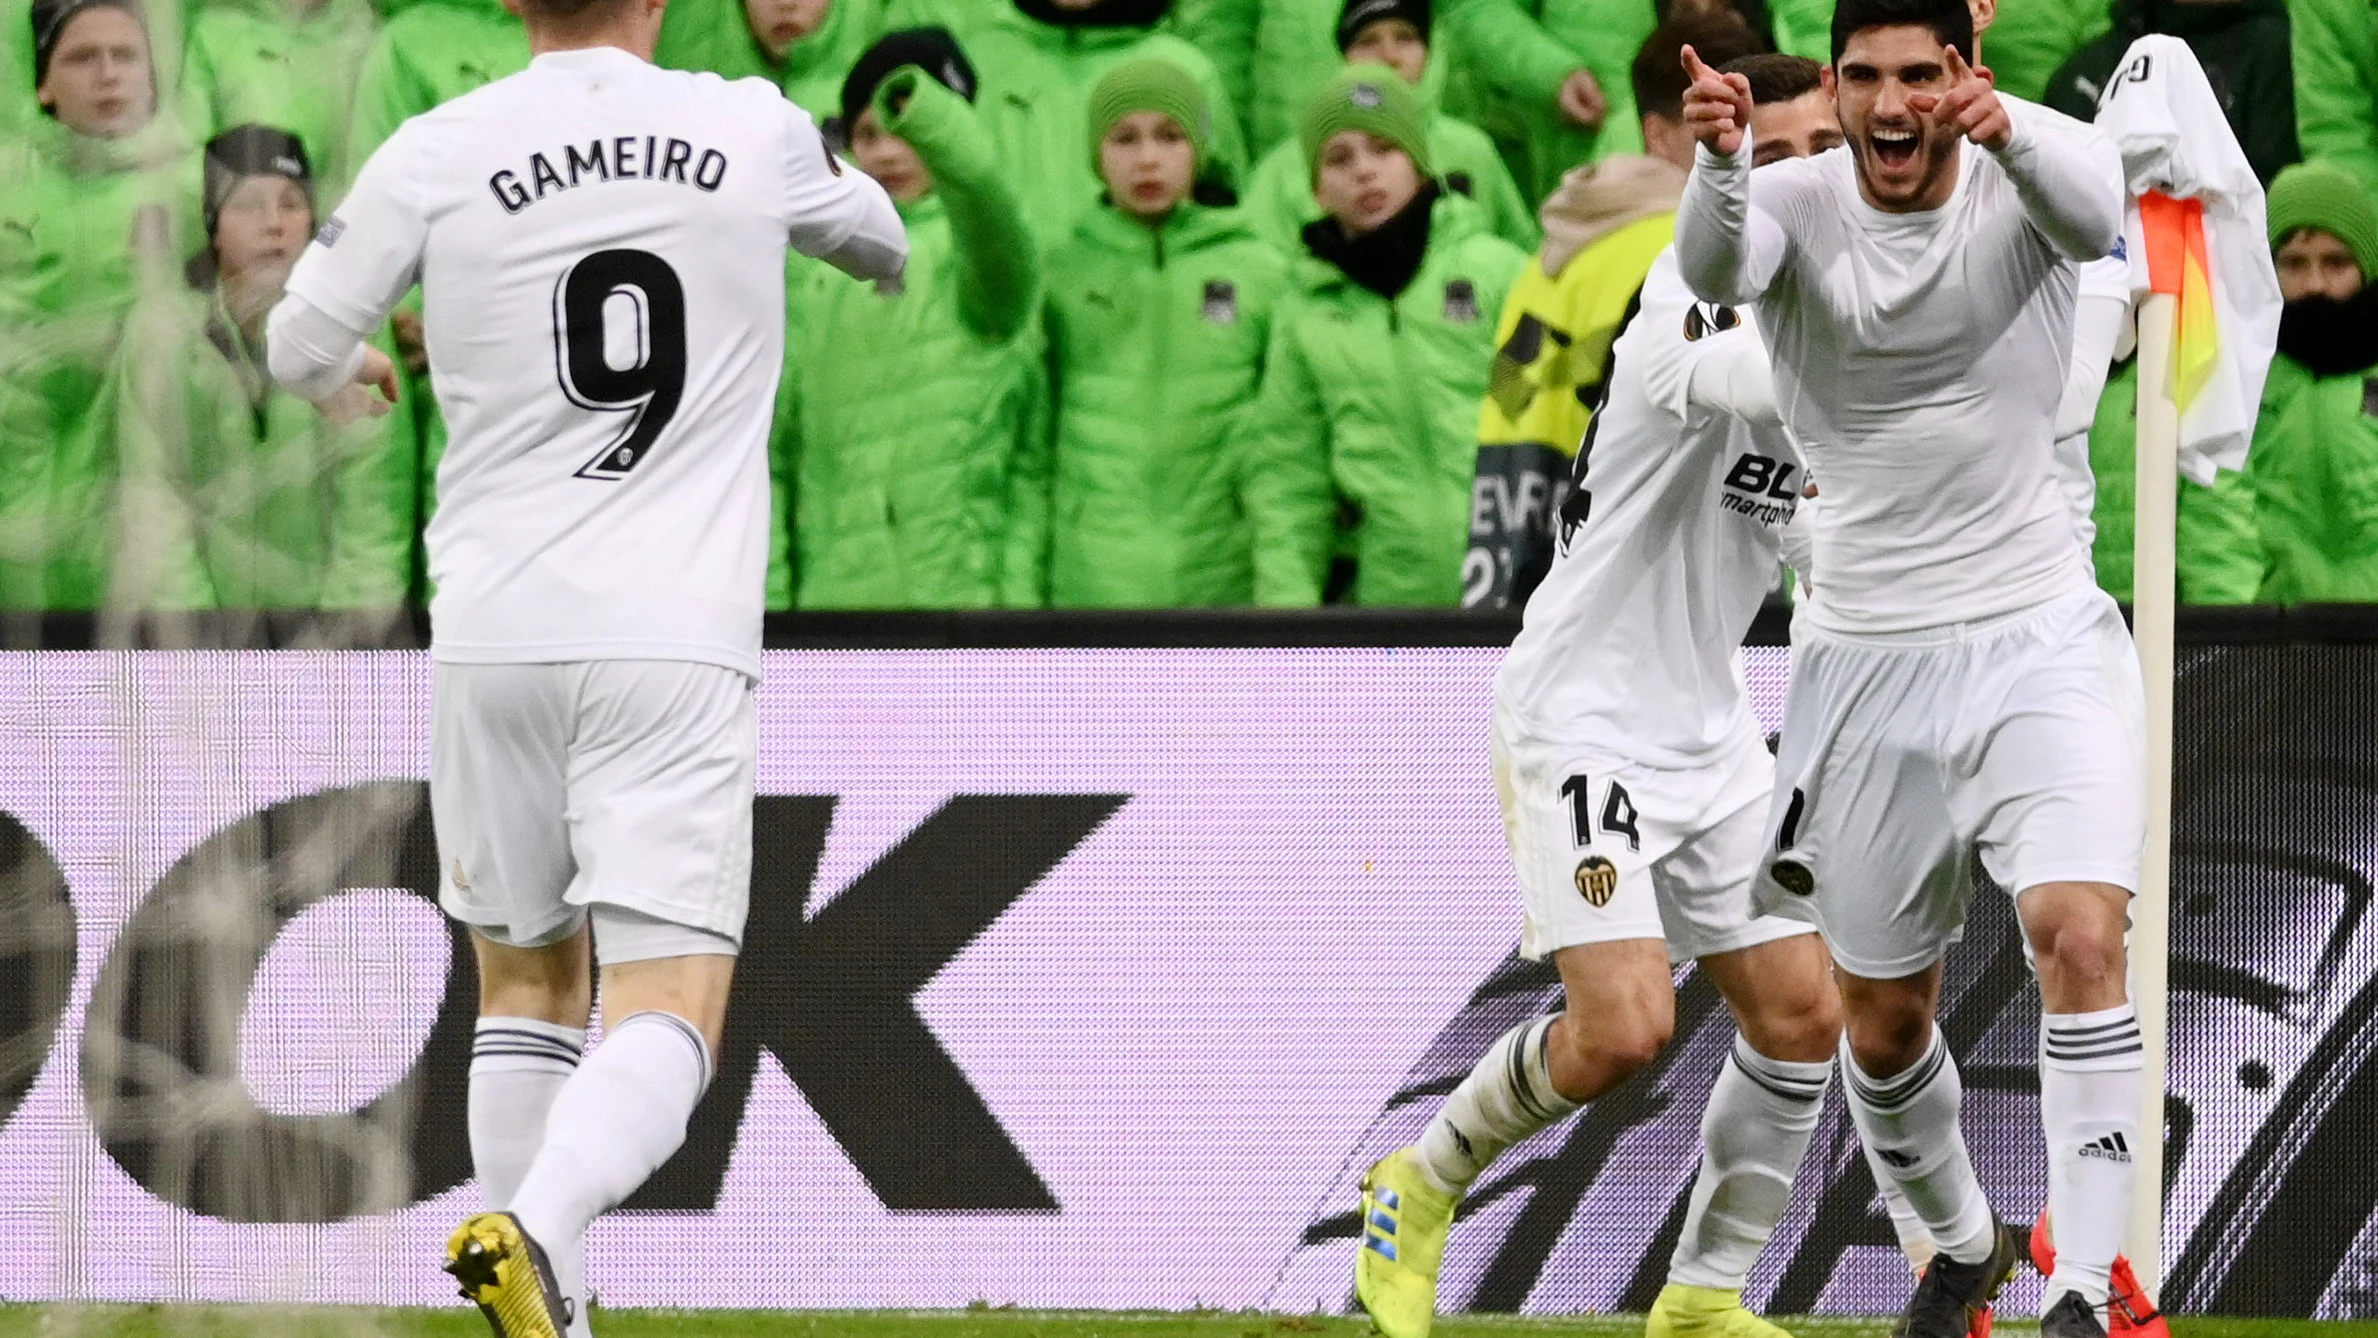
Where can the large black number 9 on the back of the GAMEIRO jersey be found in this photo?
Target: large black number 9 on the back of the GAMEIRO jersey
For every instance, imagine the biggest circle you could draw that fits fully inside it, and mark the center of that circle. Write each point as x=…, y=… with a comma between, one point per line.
x=653, y=384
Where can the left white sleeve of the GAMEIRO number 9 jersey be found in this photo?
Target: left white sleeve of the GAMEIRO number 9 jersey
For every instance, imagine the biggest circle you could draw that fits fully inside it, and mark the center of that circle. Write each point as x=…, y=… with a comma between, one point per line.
x=367, y=255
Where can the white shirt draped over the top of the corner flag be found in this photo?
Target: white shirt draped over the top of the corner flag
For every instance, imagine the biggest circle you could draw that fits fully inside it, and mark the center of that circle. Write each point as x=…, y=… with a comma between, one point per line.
x=2175, y=139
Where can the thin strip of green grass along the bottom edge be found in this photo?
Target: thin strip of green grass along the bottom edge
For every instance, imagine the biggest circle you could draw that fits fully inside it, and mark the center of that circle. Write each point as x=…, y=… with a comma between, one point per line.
x=268, y=1323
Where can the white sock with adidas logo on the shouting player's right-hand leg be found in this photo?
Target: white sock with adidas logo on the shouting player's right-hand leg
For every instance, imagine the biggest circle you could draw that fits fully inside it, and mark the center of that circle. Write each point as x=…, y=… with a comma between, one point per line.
x=2091, y=1087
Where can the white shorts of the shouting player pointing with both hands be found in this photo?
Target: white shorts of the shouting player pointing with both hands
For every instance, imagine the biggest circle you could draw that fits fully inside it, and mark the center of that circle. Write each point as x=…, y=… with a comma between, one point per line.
x=2022, y=738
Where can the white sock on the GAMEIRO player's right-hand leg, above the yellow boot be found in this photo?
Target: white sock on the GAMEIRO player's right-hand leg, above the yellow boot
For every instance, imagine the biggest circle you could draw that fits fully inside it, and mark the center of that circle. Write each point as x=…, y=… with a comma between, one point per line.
x=617, y=1121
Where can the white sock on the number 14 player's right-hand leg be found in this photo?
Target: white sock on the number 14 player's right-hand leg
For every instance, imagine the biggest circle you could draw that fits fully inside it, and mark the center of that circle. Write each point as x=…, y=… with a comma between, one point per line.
x=1754, y=1135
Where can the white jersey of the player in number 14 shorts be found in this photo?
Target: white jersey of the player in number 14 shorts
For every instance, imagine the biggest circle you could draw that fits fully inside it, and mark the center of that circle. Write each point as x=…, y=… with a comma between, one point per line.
x=1668, y=545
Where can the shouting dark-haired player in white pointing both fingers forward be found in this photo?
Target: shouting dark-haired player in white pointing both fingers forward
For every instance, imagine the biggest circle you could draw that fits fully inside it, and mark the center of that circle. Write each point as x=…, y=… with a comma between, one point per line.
x=1961, y=683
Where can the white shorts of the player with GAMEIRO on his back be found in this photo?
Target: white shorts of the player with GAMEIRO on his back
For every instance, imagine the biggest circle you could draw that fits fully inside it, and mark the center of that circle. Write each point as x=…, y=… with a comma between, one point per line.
x=596, y=783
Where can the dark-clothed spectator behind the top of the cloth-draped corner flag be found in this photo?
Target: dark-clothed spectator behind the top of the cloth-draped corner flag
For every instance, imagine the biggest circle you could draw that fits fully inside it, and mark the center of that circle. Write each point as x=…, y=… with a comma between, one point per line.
x=2244, y=49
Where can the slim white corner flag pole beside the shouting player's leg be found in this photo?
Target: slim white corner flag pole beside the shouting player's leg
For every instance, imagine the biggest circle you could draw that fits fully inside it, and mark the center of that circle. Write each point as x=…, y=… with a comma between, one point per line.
x=2153, y=610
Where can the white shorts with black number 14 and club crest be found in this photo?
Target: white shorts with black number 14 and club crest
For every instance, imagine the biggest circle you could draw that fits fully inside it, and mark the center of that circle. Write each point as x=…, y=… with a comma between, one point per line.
x=1613, y=850
